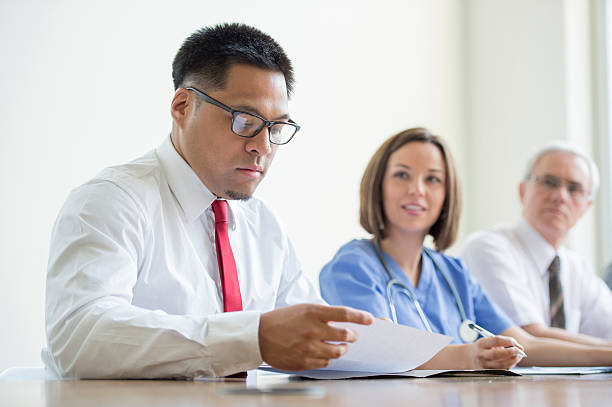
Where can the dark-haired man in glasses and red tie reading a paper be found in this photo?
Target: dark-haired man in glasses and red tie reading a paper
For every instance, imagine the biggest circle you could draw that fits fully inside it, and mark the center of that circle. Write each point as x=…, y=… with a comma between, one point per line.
x=166, y=266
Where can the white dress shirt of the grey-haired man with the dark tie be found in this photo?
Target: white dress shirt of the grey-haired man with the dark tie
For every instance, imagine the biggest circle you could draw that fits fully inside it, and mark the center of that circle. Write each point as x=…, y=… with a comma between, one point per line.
x=512, y=264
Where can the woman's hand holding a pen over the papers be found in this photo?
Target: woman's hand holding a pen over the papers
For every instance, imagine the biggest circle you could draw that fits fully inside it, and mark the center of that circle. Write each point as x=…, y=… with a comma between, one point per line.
x=497, y=352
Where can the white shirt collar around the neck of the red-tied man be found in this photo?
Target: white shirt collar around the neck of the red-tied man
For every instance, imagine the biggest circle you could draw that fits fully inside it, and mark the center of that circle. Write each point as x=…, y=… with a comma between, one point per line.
x=190, y=192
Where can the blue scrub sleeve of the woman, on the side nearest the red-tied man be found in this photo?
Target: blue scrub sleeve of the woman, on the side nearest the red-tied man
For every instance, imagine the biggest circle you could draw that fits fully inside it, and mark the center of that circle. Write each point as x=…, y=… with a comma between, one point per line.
x=350, y=279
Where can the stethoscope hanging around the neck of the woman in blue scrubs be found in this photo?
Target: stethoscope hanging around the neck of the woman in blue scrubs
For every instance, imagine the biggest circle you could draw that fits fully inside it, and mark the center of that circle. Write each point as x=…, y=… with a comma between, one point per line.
x=467, y=334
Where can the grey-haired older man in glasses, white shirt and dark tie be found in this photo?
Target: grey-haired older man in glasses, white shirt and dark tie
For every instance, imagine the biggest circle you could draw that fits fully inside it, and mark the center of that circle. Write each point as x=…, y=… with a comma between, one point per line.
x=544, y=287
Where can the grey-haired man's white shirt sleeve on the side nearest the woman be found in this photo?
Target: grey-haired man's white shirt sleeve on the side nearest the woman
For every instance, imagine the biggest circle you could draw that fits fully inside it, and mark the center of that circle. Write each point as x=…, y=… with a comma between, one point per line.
x=489, y=259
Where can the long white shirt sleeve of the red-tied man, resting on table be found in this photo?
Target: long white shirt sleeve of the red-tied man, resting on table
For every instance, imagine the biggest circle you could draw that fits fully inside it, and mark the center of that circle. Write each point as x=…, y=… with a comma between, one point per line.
x=93, y=330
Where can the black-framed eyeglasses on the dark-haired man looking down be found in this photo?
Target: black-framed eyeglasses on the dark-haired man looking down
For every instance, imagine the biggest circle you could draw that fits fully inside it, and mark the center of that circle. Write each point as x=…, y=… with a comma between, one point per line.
x=245, y=124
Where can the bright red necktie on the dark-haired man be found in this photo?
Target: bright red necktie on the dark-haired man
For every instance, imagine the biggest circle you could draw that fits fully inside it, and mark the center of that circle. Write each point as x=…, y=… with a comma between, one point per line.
x=232, y=301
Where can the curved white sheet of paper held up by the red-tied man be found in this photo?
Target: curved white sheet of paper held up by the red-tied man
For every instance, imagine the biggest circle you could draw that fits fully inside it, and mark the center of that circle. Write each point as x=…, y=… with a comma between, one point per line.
x=385, y=347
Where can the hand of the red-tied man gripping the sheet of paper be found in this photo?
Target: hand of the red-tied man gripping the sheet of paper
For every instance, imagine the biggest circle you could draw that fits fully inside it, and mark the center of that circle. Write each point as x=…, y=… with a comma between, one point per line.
x=295, y=338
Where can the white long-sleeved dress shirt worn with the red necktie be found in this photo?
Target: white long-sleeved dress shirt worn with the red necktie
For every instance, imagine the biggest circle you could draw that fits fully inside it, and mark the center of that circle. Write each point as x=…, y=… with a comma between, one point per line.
x=133, y=289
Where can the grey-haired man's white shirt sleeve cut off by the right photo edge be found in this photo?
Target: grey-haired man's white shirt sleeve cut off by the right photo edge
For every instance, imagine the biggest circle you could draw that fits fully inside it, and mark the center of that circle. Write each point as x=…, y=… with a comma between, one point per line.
x=595, y=305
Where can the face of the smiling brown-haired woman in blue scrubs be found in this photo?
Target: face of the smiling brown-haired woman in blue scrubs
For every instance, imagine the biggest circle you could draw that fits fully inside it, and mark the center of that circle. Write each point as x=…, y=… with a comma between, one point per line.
x=413, y=188
